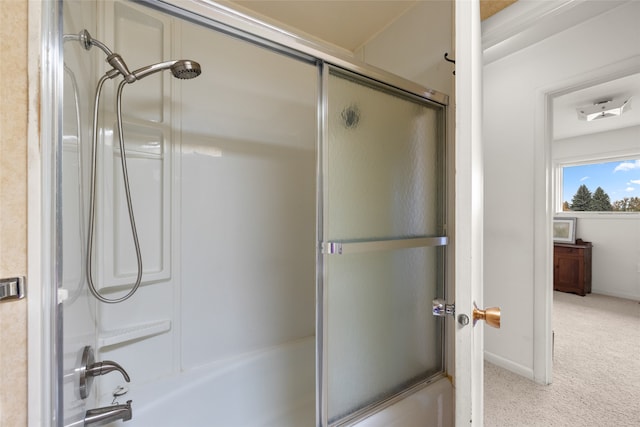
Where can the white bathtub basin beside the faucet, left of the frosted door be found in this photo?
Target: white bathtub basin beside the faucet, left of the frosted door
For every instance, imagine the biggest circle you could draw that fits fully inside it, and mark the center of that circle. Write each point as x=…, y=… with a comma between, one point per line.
x=273, y=387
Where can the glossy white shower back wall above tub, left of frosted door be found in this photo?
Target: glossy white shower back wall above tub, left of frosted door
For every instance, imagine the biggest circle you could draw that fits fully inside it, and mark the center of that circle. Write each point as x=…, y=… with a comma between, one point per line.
x=248, y=180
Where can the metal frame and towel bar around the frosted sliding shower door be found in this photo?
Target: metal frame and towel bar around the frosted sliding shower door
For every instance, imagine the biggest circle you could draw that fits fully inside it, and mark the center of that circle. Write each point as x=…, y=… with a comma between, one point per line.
x=329, y=248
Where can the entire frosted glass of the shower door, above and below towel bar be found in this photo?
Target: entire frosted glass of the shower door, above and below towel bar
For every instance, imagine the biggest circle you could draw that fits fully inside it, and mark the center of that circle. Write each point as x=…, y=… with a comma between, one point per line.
x=382, y=182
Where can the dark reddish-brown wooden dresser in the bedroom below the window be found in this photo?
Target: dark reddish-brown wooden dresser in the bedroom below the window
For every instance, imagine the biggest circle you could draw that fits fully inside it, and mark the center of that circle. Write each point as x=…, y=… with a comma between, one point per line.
x=572, y=267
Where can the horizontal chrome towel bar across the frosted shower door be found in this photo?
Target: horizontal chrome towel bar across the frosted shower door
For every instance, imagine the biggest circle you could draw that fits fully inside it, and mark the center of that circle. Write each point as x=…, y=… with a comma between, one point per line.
x=351, y=247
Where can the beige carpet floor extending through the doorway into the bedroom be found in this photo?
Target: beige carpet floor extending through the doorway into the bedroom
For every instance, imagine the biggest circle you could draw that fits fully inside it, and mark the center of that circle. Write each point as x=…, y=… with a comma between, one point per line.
x=596, y=370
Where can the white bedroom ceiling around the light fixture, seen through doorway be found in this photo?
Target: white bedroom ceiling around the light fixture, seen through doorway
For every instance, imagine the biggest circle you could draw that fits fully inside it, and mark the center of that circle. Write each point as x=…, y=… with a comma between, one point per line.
x=565, y=119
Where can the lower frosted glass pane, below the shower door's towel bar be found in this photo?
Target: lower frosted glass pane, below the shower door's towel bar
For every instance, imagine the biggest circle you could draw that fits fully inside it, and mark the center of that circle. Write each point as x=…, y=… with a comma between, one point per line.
x=382, y=335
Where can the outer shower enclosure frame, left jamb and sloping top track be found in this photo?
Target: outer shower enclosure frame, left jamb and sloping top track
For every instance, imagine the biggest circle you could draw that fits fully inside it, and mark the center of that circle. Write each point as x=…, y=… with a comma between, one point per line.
x=44, y=406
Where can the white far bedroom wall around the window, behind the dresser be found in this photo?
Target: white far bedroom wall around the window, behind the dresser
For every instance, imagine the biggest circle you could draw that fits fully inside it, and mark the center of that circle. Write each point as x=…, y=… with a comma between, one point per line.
x=616, y=237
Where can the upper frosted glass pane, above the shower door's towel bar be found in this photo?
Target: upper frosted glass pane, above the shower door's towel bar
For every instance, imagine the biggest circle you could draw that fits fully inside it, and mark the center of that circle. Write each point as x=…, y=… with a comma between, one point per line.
x=382, y=164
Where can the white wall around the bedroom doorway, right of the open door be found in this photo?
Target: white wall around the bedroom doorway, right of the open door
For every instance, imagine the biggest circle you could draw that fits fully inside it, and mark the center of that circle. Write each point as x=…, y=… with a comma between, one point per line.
x=514, y=139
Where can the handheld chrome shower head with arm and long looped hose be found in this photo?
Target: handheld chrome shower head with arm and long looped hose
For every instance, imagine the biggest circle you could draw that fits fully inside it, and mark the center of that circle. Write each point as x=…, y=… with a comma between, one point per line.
x=181, y=69
